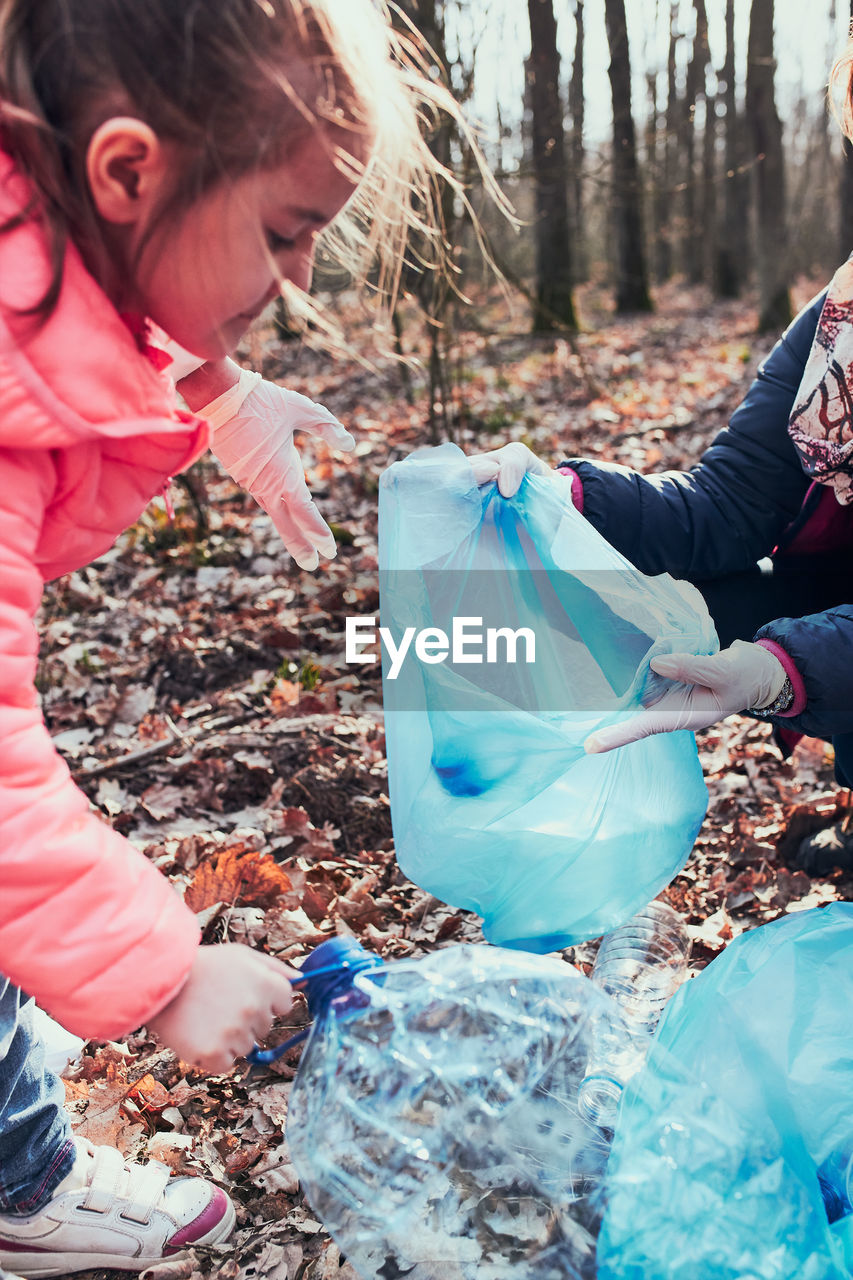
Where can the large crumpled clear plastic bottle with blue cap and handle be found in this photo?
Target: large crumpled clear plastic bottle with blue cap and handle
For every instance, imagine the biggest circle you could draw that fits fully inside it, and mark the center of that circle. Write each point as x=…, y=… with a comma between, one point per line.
x=435, y=1117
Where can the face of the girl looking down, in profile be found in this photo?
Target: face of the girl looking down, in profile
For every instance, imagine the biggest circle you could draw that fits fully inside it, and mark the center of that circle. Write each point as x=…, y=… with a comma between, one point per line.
x=209, y=276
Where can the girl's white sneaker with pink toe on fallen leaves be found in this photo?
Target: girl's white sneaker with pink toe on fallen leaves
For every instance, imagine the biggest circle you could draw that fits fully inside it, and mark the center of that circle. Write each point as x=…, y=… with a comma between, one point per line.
x=111, y=1213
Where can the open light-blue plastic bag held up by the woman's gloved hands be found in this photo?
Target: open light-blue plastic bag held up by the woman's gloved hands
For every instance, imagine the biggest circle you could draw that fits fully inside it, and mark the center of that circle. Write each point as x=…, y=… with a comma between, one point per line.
x=496, y=808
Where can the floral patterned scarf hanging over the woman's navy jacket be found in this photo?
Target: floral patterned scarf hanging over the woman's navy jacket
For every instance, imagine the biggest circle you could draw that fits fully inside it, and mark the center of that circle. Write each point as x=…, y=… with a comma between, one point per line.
x=822, y=422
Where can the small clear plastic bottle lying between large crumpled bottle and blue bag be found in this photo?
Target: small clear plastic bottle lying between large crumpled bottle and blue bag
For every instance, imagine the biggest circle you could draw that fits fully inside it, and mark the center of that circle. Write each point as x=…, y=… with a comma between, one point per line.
x=641, y=966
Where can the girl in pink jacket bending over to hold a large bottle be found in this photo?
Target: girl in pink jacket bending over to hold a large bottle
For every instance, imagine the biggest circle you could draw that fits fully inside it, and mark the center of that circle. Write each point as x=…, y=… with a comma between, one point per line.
x=163, y=164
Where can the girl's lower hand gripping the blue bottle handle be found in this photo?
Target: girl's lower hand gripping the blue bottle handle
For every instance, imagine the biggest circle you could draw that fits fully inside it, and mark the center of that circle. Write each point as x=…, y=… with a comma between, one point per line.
x=226, y=1007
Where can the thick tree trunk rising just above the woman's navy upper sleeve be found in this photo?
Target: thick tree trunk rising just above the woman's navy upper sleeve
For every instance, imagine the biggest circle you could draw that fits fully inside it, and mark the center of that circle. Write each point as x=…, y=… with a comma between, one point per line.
x=765, y=129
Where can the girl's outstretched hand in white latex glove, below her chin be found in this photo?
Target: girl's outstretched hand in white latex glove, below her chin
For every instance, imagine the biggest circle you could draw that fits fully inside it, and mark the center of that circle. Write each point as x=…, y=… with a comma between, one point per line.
x=253, y=437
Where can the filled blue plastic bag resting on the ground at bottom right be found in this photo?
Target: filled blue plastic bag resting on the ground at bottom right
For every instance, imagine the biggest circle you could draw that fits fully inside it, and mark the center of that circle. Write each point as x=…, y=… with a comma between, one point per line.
x=743, y=1108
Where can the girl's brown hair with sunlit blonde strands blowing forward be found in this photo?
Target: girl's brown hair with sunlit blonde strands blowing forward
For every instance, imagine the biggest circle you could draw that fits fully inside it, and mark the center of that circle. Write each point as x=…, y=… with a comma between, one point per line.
x=235, y=85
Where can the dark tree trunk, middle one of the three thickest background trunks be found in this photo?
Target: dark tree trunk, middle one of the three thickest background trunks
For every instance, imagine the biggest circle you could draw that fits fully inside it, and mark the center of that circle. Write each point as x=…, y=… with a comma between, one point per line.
x=632, y=282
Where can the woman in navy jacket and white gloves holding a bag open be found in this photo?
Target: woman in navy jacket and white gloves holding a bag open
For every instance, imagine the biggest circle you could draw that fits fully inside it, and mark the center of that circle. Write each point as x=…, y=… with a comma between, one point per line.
x=764, y=527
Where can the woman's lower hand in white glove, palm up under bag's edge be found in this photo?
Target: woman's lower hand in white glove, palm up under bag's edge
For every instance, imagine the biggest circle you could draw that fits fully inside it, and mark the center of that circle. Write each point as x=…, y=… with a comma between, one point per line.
x=746, y=675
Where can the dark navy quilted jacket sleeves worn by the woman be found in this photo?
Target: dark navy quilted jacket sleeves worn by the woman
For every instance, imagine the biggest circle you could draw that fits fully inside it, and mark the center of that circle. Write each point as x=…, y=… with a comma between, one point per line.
x=745, y=499
